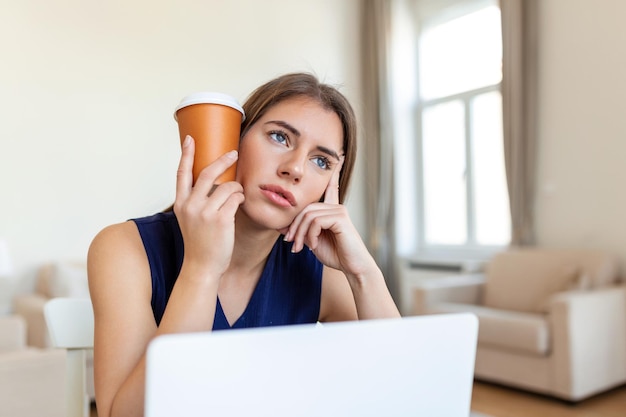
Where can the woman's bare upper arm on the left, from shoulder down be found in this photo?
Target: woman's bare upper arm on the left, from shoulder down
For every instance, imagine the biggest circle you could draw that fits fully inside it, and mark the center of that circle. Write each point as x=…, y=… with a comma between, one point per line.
x=119, y=283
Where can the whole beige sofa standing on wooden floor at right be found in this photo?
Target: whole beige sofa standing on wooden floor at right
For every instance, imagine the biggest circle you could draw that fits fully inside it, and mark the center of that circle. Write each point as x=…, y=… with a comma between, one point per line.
x=551, y=321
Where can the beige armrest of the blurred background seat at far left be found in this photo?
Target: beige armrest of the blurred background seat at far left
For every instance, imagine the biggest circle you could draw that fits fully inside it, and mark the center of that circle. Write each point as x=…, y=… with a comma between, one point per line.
x=30, y=306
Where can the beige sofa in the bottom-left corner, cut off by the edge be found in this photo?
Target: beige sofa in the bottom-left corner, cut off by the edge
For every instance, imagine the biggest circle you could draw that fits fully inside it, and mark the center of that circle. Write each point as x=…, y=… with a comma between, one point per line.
x=32, y=381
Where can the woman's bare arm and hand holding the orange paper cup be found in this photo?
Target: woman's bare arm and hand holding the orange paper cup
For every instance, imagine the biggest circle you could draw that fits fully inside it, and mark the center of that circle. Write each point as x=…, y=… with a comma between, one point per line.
x=121, y=287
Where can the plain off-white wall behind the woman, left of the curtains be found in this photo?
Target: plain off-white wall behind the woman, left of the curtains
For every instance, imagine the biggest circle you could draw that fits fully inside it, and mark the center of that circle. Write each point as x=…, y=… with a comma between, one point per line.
x=87, y=91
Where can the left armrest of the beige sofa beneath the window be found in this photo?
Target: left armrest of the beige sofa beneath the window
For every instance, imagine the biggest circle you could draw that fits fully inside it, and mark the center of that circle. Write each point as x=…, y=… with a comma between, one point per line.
x=464, y=289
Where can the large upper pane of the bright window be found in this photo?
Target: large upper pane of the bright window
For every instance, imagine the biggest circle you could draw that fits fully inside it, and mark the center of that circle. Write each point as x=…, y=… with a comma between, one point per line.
x=462, y=54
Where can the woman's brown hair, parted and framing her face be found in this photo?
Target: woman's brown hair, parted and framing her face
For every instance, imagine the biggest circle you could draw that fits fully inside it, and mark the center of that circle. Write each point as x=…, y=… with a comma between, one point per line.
x=307, y=85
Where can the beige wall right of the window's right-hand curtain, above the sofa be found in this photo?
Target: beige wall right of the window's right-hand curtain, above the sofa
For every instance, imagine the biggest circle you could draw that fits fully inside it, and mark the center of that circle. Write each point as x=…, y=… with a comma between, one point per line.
x=581, y=200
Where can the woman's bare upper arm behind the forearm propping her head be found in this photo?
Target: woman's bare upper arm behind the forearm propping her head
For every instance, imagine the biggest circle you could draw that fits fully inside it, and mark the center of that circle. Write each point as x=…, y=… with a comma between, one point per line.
x=337, y=302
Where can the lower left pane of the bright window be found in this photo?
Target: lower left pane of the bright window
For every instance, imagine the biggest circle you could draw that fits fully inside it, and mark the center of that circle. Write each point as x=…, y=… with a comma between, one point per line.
x=443, y=145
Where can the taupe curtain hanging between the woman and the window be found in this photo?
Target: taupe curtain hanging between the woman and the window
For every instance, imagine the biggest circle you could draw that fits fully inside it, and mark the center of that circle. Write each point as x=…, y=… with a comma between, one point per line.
x=378, y=137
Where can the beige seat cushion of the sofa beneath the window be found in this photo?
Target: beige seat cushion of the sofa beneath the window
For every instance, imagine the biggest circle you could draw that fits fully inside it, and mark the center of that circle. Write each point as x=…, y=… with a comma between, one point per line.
x=521, y=332
